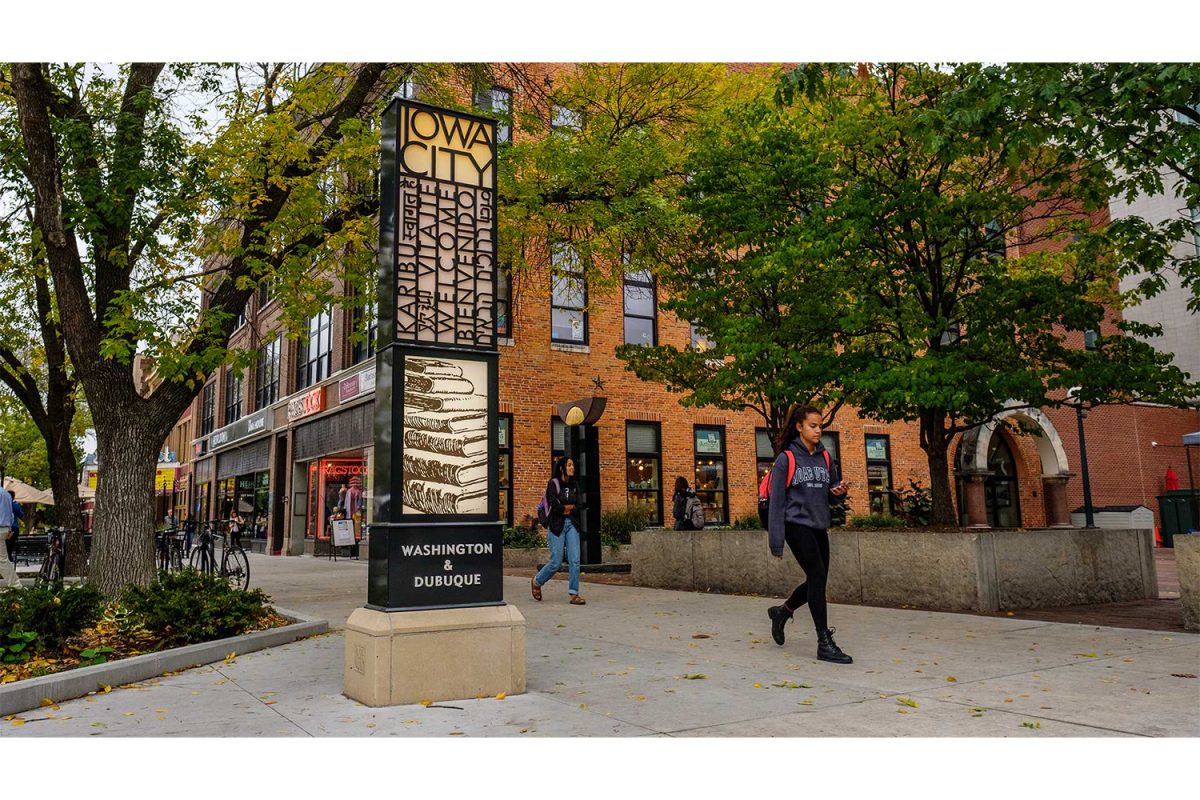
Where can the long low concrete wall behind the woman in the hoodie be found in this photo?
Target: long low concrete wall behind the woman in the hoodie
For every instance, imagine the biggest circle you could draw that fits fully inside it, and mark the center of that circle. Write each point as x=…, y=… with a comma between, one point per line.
x=945, y=572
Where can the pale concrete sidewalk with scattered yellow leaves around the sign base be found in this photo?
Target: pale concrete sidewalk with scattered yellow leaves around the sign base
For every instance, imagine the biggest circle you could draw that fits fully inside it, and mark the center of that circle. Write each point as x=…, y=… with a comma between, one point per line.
x=639, y=663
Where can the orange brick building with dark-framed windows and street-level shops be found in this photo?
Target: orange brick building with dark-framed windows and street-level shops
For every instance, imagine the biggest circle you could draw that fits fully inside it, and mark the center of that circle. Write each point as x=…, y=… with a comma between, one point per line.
x=293, y=438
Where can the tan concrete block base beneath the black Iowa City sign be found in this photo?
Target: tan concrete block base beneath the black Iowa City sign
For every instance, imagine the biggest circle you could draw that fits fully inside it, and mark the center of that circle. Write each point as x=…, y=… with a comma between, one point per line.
x=447, y=654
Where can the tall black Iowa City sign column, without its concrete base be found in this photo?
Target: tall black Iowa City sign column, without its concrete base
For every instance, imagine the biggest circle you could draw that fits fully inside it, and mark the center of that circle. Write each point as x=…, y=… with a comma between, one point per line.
x=436, y=542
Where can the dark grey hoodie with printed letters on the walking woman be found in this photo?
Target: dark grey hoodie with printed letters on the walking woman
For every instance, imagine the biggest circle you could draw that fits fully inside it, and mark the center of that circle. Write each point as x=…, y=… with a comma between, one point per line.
x=807, y=501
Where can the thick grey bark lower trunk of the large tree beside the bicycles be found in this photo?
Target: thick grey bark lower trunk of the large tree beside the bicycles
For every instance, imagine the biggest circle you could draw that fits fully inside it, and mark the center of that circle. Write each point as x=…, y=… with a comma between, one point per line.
x=123, y=536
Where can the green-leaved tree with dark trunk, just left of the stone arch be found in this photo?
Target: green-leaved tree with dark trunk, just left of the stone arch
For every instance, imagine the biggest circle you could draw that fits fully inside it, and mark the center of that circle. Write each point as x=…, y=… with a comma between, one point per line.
x=970, y=256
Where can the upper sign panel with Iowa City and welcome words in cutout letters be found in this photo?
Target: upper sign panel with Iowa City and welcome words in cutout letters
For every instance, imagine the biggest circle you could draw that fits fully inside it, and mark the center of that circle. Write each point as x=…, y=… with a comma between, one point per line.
x=446, y=232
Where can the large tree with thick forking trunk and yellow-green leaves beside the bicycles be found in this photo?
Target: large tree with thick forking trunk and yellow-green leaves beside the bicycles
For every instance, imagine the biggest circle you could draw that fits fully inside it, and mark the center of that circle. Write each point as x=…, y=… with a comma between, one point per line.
x=164, y=197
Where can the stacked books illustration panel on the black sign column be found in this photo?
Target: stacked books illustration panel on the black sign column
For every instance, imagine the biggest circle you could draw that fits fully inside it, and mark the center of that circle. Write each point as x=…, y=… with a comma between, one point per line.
x=446, y=438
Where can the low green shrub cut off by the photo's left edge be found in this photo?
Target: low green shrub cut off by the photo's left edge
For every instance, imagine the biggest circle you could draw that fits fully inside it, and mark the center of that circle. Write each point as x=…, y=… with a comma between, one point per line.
x=55, y=613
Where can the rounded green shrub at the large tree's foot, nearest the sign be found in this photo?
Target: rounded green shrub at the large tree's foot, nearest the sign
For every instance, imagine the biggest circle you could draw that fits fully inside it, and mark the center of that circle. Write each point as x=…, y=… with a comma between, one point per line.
x=189, y=606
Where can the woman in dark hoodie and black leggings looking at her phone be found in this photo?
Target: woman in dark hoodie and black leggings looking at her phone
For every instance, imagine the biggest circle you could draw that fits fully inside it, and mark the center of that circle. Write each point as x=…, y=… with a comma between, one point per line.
x=803, y=482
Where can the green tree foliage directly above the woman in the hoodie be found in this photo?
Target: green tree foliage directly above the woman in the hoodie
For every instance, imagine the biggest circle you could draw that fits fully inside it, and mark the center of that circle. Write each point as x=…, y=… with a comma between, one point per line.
x=749, y=270
